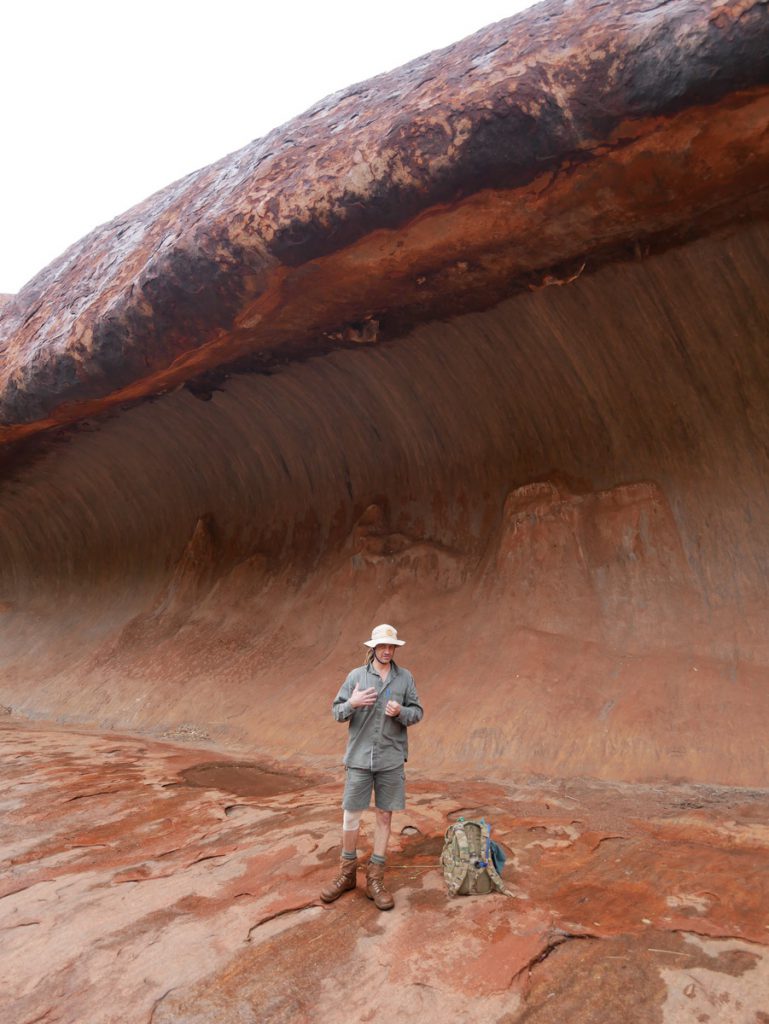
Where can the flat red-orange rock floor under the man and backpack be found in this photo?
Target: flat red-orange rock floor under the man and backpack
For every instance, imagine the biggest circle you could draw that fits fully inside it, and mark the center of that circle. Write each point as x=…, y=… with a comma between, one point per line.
x=140, y=887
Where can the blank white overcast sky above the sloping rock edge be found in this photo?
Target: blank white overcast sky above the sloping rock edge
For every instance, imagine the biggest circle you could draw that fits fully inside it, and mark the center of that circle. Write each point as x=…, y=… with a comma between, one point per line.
x=105, y=103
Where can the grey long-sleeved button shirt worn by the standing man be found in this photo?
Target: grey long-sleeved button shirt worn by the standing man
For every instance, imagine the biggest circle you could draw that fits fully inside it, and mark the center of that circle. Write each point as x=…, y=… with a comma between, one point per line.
x=374, y=740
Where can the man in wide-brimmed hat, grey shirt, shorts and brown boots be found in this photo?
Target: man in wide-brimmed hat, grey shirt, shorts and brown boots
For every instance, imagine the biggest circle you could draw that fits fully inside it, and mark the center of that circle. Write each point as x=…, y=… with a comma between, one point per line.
x=380, y=702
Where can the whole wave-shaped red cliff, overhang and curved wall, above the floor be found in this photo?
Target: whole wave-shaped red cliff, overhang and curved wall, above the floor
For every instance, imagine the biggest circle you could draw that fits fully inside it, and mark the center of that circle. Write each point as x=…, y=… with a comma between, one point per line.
x=478, y=348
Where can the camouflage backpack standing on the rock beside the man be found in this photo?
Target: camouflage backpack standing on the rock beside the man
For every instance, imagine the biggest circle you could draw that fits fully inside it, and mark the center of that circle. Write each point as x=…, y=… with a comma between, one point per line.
x=468, y=860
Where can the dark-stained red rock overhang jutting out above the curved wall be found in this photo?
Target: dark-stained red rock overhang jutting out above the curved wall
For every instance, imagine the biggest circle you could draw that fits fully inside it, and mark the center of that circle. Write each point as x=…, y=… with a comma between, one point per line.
x=542, y=147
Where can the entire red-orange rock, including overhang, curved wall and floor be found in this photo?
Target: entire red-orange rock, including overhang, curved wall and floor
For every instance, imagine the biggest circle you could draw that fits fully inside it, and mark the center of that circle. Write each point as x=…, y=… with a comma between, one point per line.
x=479, y=349
